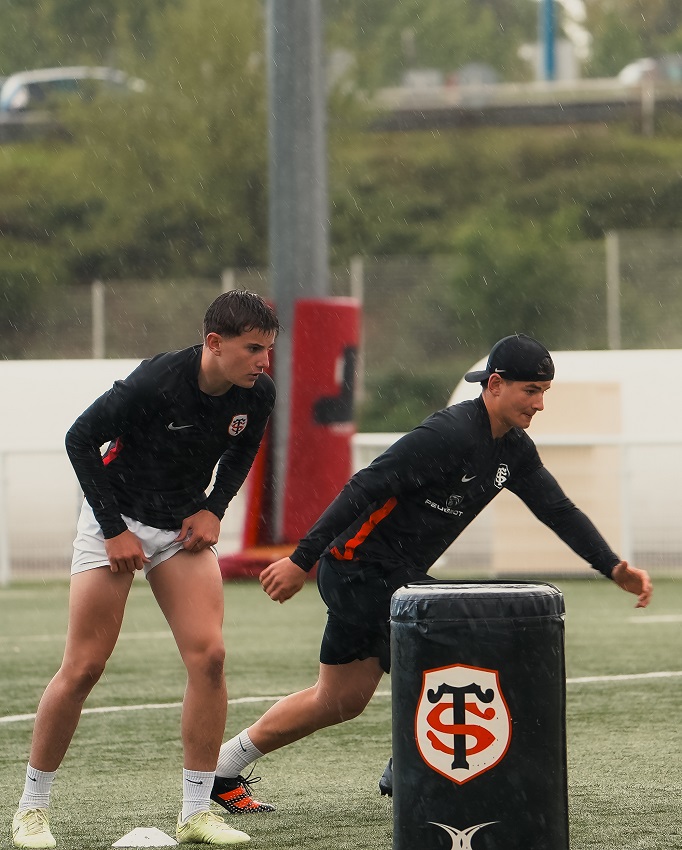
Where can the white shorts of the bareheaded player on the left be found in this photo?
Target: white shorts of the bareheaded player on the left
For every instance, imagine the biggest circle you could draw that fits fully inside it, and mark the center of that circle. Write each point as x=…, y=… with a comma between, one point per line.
x=89, y=551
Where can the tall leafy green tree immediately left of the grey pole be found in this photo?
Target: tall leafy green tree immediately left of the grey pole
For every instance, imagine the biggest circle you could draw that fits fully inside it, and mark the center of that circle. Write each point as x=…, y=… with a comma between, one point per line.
x=192, y=148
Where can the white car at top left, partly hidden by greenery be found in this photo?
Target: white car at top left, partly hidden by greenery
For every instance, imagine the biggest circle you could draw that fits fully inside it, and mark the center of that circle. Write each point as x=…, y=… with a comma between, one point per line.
x=38, y=89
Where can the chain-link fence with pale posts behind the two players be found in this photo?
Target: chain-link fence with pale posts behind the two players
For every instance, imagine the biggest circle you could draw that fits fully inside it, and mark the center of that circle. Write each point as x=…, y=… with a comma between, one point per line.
x=628, y=298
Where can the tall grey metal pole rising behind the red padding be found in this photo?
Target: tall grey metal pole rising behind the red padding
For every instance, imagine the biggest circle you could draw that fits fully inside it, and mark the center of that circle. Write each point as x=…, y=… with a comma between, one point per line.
x=298, y=206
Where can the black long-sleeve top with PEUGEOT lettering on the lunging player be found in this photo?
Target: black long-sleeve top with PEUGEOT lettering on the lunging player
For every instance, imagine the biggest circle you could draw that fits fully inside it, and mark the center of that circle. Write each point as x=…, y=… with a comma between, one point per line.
x=415, y=499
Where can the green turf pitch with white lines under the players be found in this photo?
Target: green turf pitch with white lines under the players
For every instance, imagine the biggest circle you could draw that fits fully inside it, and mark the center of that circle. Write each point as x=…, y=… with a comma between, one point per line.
x=124, y=767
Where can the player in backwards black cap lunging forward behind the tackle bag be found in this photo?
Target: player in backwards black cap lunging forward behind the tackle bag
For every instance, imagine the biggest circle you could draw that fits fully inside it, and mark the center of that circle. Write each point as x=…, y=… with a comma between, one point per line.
x=392, y=521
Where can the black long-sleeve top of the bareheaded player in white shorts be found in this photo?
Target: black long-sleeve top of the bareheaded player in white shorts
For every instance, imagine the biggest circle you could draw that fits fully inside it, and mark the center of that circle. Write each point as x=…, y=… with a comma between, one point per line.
x=165, y=439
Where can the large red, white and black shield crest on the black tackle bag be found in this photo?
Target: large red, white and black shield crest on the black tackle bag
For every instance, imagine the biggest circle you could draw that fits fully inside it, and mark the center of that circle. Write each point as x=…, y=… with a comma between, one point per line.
x=462, y=723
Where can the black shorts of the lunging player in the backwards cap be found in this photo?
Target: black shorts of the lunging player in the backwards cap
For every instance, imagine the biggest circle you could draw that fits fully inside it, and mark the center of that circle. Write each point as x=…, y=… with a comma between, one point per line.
x=358, y=599
